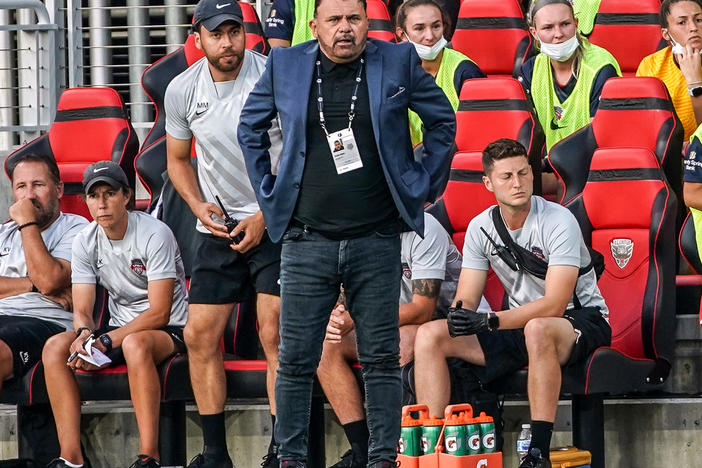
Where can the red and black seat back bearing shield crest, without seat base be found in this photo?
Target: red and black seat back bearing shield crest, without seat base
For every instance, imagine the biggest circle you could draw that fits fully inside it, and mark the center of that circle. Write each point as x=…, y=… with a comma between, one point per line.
x=627, y=212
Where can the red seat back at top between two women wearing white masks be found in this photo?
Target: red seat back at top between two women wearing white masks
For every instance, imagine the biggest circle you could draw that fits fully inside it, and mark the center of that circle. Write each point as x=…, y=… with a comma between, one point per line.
x=494, y=34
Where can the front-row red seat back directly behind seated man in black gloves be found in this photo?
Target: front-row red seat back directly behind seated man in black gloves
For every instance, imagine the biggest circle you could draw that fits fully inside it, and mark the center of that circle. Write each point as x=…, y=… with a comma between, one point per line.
x=464, y=198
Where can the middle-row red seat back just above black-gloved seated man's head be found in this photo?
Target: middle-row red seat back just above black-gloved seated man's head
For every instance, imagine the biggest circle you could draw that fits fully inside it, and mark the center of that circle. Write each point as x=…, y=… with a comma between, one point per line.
x=495, y=108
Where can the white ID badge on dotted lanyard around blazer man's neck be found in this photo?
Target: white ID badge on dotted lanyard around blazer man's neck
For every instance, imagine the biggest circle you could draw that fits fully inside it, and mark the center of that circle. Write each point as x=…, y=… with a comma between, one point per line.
x=342, y=143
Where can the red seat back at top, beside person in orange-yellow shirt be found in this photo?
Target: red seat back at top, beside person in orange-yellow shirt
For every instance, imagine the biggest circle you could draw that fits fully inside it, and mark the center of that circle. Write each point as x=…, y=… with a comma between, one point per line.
x=629, y=29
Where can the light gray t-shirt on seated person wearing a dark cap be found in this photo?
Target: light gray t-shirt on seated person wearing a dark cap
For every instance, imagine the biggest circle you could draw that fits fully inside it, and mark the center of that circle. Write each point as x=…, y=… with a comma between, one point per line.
x=148, y=252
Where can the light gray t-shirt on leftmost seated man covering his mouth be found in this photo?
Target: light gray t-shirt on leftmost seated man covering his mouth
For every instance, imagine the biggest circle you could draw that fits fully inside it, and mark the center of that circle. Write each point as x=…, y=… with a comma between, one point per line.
x=58, y=239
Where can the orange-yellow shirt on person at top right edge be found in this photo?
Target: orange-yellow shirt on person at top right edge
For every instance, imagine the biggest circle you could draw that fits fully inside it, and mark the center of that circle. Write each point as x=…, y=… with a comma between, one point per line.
x=662, y=66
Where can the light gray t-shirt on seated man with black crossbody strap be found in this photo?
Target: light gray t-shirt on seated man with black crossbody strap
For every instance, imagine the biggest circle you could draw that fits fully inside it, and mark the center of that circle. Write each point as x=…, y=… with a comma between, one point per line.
x=551, y=232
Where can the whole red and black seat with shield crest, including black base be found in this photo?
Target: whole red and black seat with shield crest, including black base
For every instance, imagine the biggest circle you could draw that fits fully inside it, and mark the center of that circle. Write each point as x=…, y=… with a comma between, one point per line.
x=627, y=212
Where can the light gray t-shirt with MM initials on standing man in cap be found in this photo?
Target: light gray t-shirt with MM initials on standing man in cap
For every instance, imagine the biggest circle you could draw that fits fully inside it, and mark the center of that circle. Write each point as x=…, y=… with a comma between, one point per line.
x=198, y=107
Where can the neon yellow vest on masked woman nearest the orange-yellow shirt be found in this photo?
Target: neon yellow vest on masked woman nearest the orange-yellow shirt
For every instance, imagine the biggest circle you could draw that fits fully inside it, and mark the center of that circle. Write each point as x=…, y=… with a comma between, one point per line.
x=574, y=113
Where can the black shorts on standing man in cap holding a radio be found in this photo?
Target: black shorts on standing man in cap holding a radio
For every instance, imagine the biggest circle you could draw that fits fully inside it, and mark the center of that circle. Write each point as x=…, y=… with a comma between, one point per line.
x=221, y=275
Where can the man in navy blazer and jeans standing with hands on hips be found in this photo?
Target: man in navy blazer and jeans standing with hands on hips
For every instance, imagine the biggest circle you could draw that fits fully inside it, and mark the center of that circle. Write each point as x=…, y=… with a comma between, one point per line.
x=339, y=211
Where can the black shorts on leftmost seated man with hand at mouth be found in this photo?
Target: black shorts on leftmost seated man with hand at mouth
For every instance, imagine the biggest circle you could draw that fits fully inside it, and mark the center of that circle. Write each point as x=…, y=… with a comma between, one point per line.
x=26, y=337
